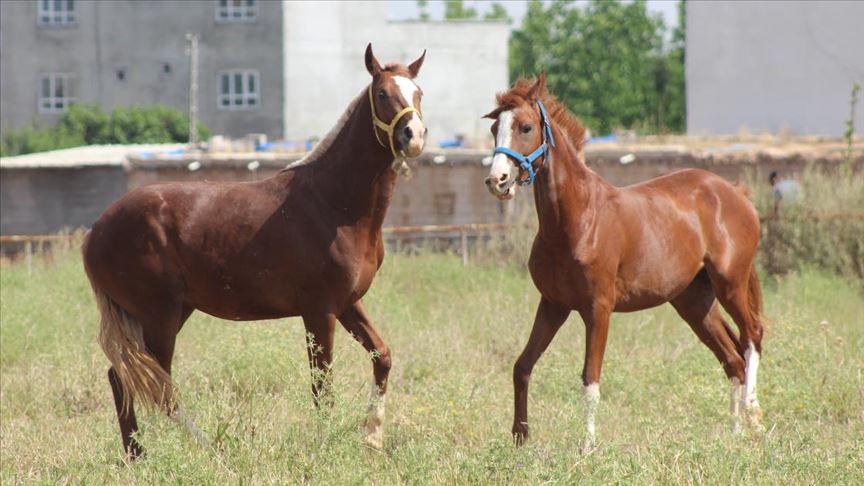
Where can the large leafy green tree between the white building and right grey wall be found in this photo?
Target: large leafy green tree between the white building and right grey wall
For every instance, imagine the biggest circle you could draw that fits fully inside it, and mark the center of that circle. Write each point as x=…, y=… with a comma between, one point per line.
x=607, y=62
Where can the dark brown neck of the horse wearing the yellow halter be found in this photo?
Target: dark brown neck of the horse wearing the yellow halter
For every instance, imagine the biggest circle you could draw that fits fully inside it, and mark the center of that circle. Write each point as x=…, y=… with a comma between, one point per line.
x=354, y=174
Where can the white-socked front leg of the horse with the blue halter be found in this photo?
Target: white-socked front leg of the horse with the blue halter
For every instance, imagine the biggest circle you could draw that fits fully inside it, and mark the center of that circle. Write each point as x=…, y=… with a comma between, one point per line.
x=596, y=331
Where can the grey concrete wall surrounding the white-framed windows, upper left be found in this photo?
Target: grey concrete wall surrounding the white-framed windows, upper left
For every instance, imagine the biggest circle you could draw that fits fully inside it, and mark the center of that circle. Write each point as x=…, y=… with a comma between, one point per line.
x=140, y=38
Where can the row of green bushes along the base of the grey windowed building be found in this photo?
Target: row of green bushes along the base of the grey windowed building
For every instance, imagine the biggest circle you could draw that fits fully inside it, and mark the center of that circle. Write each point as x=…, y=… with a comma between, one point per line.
x=89, y=125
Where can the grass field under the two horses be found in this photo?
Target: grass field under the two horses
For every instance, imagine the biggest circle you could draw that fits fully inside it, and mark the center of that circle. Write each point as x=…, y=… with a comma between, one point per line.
x=455, y=332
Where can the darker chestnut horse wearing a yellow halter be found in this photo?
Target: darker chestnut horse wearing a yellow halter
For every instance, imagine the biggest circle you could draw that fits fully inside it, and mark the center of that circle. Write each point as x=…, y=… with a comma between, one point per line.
x=305, y=242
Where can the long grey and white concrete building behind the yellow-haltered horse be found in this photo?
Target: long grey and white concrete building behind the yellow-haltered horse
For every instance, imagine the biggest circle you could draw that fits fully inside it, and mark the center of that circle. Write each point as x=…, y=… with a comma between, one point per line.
x=285, y=69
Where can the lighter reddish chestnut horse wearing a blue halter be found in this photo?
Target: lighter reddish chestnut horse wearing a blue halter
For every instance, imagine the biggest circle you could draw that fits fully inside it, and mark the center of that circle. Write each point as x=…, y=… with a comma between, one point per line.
x=688, y=238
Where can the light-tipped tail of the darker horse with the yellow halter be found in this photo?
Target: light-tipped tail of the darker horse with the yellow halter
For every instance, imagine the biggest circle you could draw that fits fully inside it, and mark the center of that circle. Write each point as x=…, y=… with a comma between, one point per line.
x=122, y=340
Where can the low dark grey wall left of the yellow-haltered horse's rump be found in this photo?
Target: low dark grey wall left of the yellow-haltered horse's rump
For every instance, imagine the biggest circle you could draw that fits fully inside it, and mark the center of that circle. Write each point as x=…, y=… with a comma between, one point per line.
x=45, y=201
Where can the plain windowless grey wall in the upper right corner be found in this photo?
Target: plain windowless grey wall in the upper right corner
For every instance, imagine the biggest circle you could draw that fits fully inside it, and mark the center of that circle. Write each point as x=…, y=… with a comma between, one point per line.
x=773, y=65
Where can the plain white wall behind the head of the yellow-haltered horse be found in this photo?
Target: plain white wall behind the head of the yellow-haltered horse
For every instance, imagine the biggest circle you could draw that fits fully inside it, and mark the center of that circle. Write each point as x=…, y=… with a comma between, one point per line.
x=466, y=64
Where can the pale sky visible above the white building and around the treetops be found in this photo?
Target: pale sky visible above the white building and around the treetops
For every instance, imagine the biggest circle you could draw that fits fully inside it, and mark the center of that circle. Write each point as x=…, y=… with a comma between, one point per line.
x=407, y=9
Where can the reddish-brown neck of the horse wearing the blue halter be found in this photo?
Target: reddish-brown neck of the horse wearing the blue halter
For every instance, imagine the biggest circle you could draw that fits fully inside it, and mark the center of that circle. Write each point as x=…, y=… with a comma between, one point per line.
x=566, y=190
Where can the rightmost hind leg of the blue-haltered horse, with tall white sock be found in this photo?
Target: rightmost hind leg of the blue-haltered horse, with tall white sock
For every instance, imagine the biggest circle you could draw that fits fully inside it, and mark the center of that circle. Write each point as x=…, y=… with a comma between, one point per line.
x=740, y=294
